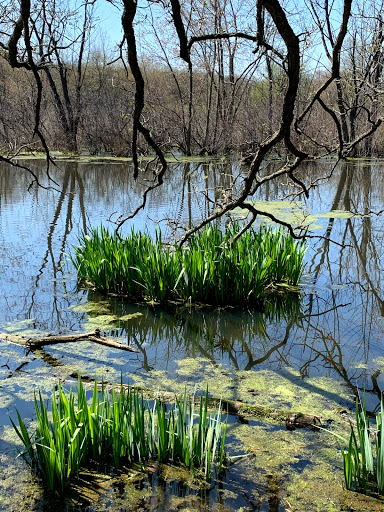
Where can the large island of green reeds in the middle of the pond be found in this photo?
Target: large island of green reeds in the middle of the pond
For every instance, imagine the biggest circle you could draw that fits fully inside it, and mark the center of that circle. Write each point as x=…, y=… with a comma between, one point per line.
x=209, y=269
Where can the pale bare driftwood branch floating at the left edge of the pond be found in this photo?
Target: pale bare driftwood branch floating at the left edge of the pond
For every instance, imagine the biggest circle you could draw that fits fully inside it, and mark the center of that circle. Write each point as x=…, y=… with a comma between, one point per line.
x=36, y=343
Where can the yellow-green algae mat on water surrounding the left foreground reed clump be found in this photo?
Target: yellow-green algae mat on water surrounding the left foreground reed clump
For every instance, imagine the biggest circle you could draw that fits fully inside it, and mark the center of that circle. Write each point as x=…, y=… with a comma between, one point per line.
x=297, y=471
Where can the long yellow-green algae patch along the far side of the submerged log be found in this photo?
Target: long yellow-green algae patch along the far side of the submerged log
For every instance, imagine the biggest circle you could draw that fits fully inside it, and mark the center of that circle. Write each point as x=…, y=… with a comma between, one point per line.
x=284, y=390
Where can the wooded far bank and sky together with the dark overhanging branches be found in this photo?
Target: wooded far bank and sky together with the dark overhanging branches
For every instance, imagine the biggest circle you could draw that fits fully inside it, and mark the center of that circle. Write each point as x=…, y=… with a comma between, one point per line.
x=262, y=78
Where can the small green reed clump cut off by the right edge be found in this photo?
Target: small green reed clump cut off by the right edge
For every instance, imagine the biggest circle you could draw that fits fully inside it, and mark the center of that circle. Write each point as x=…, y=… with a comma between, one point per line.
x=364, y=457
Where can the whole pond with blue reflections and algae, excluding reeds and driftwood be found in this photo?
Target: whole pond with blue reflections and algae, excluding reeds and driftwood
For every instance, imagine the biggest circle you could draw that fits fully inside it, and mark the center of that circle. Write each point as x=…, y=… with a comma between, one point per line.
x=308, y=354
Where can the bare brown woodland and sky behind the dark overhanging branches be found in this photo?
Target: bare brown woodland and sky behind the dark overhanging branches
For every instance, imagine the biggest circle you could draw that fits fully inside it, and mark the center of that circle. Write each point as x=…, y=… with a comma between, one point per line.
x=231, y=99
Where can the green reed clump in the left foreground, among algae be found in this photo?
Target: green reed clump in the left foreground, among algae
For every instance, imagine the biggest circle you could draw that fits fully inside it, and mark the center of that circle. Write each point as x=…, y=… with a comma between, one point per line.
x=119, y=428
